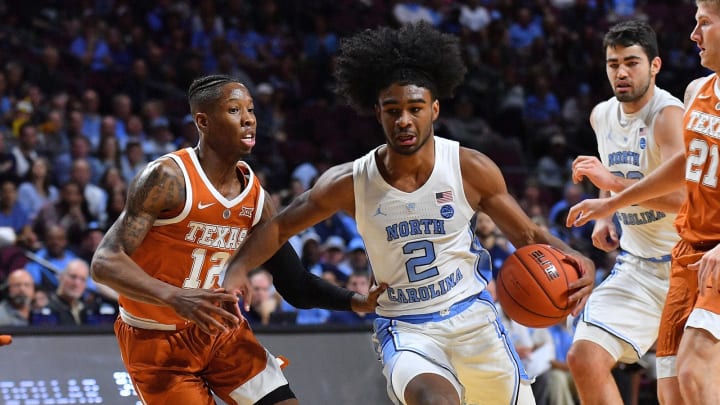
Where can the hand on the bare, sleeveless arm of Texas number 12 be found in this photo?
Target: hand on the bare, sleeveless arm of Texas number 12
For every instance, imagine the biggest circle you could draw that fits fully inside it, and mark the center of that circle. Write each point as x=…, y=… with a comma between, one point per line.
x=206, y=308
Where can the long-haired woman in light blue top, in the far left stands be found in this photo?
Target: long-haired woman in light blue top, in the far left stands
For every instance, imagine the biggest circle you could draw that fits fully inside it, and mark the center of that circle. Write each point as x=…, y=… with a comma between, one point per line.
x=37, y=189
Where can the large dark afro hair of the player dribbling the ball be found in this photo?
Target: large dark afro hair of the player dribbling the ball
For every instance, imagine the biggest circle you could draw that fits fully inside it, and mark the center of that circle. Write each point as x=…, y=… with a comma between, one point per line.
x=415, y=54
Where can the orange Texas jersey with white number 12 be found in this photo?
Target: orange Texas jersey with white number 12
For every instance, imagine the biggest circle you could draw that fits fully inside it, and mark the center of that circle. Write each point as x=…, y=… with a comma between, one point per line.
x=190, y=249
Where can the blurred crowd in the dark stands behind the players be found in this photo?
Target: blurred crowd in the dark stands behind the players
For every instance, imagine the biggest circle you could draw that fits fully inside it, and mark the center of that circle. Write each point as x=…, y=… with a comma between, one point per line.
x=92, y=90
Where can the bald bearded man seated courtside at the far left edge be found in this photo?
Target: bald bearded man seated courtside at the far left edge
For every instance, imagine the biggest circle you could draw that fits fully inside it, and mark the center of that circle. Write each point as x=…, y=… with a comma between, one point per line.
x=15, y=309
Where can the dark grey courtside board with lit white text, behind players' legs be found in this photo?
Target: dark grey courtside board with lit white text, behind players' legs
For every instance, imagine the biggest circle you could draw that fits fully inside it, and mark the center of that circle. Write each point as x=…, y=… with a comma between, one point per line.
x=325, y=368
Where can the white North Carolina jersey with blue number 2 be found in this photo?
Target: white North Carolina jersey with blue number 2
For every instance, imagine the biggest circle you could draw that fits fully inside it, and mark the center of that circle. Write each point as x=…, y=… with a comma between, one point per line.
x=419, y=243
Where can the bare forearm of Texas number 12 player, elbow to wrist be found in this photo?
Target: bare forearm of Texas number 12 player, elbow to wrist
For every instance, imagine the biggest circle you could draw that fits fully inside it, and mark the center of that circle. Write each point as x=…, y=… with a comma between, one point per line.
x=119, y=272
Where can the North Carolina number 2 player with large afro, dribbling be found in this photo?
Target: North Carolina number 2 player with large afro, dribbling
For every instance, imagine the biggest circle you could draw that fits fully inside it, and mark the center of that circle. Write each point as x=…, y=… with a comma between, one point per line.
x=414, y=199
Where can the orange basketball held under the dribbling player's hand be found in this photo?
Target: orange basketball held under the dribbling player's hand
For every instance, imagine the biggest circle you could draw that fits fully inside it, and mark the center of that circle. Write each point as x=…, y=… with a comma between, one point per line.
x=532, y=285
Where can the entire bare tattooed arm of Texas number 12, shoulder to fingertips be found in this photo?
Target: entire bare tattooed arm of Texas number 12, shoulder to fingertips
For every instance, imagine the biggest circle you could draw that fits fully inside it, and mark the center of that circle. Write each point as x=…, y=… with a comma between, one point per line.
x=158, y=189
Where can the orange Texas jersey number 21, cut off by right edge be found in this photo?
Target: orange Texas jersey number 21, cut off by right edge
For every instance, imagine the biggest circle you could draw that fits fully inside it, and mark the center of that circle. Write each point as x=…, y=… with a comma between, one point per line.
x=699, y=217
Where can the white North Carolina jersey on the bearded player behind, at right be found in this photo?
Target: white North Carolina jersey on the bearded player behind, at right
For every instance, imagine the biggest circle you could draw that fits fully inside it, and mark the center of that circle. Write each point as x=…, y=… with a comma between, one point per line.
x=627, y=147
